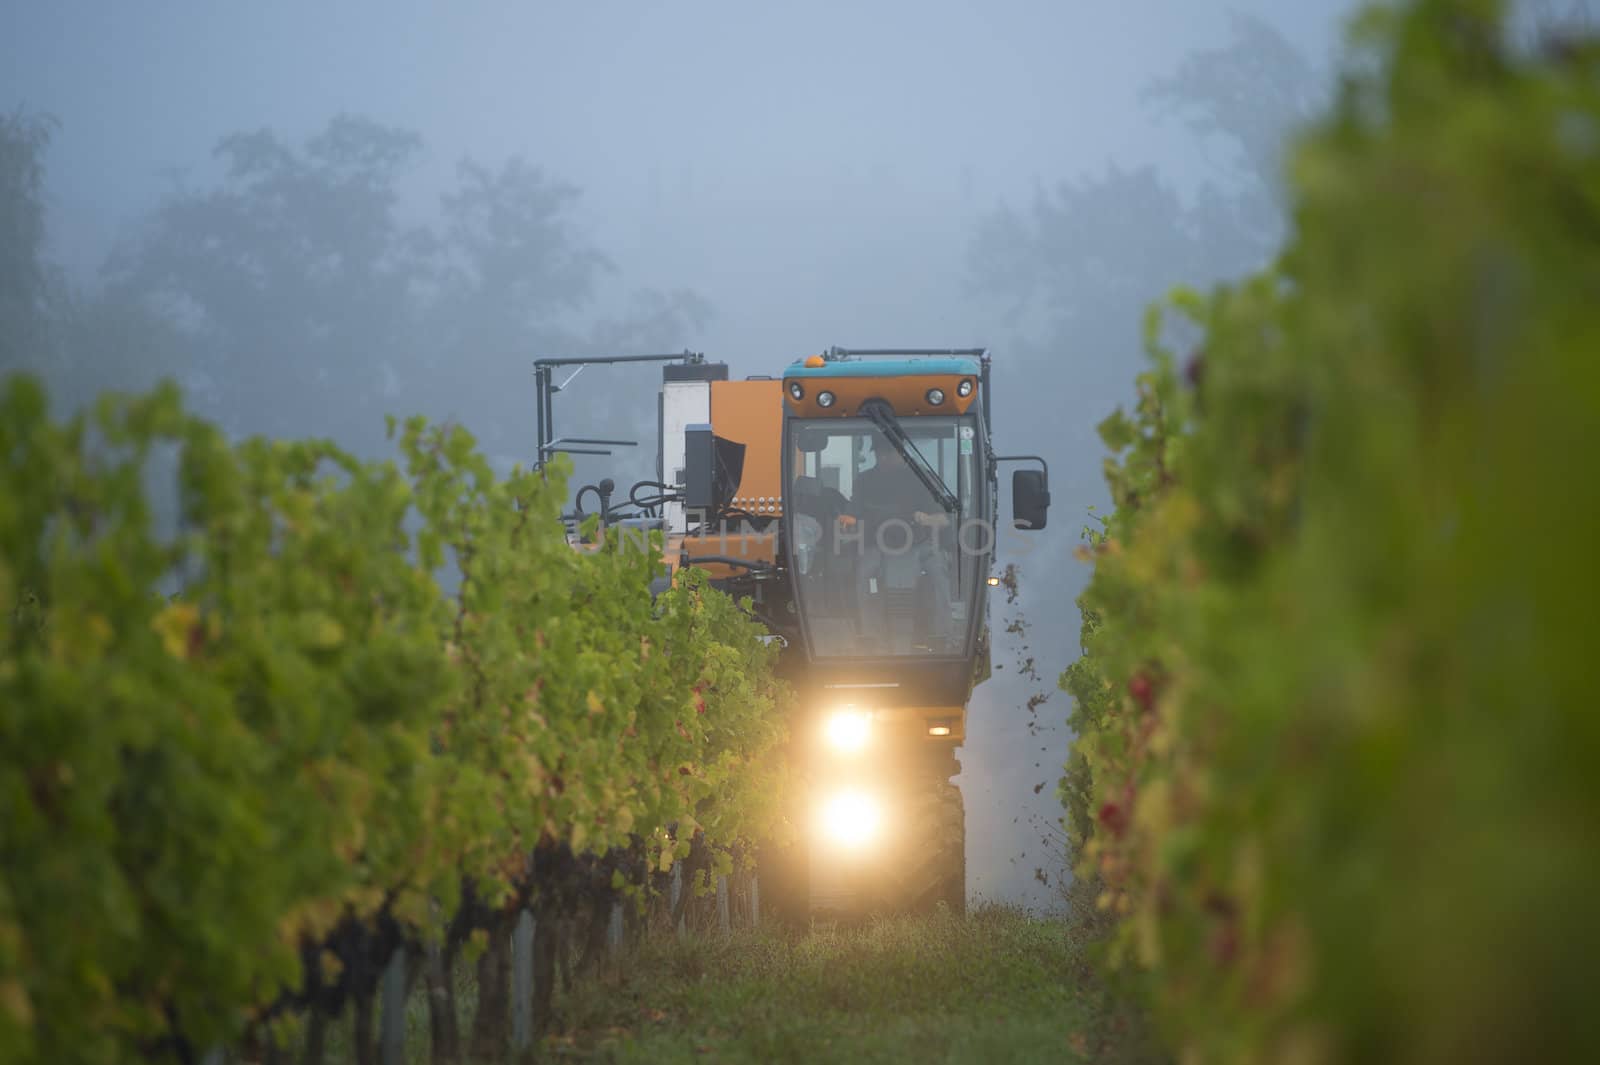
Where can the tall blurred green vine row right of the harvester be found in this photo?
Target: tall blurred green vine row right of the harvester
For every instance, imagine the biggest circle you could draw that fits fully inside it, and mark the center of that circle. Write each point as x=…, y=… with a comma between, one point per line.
x=1340, y=762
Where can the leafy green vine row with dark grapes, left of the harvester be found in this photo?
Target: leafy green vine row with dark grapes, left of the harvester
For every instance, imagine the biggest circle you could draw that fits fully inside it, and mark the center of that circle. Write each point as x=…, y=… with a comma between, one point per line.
x=223, y=812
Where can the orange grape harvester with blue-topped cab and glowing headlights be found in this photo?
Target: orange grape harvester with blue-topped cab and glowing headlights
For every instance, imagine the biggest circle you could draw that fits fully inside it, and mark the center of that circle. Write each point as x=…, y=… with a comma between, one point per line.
x=854, y=503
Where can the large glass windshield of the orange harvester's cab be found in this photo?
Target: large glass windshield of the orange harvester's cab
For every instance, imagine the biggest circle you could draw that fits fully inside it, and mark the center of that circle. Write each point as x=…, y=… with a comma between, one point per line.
x=879, y=562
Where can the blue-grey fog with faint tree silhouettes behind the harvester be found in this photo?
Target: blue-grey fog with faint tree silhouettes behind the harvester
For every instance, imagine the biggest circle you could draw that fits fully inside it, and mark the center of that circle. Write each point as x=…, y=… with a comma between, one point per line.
x=750, y=181
